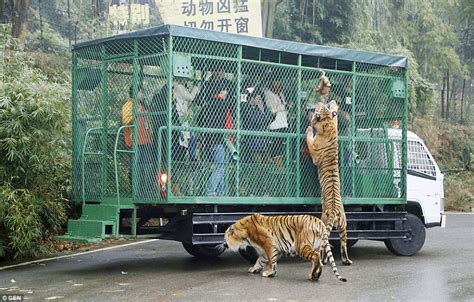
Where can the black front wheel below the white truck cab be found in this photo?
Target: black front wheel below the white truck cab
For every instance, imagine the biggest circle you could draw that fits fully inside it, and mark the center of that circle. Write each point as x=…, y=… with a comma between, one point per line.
x=411, y=245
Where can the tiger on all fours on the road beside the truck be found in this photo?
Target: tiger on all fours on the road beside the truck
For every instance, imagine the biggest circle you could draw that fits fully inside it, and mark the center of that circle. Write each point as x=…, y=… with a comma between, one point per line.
x=289, y=235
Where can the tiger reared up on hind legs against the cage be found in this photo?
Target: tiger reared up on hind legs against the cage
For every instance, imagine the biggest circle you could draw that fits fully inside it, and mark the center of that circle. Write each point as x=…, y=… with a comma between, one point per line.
x=324, y=152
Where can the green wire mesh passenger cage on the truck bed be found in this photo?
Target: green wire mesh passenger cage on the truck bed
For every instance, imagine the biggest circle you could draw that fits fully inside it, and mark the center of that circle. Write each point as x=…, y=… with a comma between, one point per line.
x=162, y=117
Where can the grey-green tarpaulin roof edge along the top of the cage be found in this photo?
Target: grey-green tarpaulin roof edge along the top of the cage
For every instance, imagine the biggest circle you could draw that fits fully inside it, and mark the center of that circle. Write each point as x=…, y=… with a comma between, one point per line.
x=263, y=43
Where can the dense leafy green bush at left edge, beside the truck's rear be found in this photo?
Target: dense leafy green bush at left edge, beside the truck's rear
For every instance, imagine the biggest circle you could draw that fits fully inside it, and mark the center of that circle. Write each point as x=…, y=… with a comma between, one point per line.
x=35, y=161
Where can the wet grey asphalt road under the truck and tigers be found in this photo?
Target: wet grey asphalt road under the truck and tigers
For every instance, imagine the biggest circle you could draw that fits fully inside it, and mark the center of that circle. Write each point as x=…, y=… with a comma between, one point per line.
x=162, y=271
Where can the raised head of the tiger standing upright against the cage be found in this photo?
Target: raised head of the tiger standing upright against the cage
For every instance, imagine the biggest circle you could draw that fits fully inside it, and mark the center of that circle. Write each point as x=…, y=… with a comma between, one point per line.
x=324, y=120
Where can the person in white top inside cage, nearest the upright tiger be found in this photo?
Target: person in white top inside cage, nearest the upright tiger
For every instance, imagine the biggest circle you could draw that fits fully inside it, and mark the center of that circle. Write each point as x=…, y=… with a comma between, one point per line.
x=276, y=103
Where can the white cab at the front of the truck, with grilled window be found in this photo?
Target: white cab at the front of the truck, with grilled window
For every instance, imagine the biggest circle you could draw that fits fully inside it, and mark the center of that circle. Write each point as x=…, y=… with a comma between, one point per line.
x=425, y=190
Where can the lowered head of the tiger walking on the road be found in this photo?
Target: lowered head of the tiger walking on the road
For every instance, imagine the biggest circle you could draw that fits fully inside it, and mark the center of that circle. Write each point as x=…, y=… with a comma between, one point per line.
x=239, y=234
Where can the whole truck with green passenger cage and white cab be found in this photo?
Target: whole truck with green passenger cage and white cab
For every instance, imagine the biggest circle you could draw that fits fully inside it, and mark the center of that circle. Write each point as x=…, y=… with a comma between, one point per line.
x=153, y=174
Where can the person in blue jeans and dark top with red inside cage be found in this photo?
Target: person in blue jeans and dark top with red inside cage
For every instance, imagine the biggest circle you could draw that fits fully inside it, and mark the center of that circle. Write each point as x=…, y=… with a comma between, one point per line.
x=216, y=113
